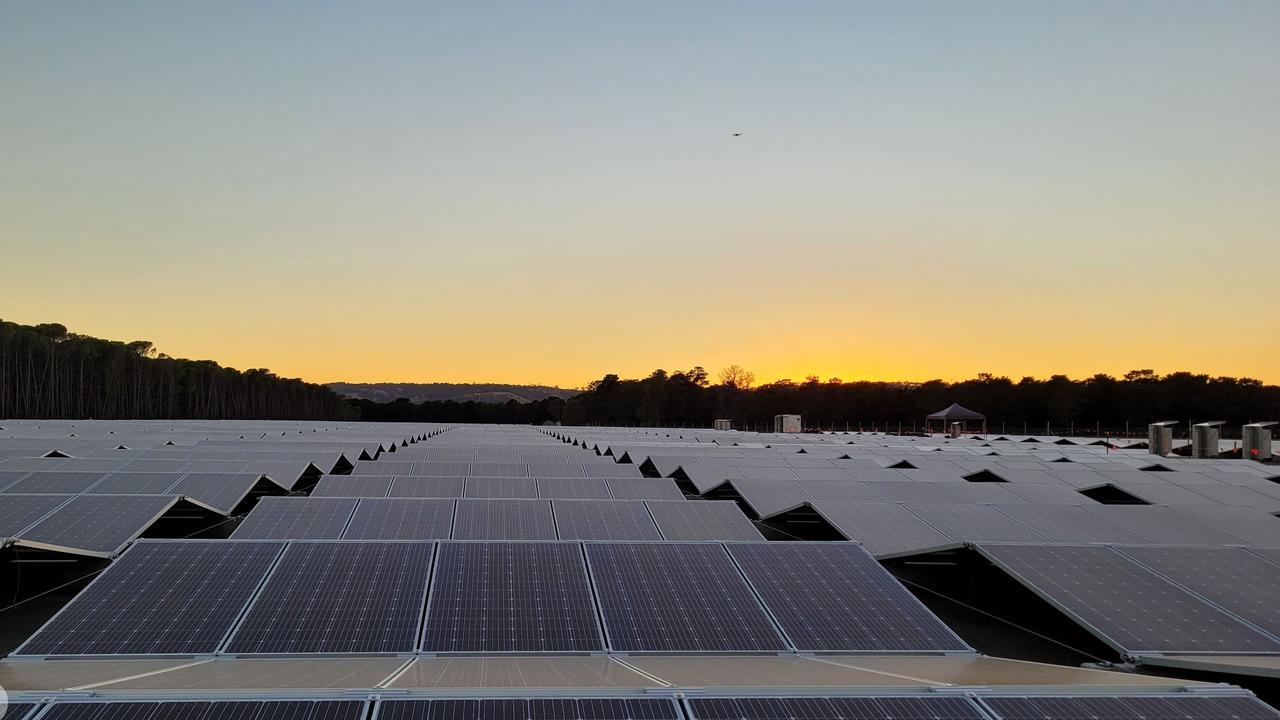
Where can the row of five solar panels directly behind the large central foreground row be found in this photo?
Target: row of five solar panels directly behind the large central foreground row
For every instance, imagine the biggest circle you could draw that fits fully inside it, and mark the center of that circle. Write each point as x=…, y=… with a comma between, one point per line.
x=339, y=518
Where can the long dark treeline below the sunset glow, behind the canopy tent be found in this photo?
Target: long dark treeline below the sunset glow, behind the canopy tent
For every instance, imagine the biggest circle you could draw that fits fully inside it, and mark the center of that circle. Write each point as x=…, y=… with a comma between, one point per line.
x=691, y=399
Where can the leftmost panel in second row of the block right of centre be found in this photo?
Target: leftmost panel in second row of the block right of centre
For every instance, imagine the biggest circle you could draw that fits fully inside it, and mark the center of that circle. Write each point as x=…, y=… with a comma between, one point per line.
x=883, y=528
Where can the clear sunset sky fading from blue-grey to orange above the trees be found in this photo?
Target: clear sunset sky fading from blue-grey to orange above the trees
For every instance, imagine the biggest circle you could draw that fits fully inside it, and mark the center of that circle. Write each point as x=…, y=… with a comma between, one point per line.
x=546, y=193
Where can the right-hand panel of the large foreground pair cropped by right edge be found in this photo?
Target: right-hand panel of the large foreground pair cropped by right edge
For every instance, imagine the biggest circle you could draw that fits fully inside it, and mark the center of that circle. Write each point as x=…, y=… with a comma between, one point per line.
x=1235, y=580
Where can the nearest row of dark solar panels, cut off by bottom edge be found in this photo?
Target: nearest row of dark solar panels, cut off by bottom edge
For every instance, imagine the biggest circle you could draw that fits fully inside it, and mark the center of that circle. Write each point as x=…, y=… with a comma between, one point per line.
x=858, y=708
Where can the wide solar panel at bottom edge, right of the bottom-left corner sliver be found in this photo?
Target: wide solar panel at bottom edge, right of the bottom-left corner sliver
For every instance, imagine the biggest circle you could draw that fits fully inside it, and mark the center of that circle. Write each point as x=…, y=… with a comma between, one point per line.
x=205, y=710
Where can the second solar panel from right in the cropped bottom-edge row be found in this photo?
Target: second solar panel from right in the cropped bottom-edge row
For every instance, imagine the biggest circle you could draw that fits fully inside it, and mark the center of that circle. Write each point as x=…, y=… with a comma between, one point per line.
x=834, y=708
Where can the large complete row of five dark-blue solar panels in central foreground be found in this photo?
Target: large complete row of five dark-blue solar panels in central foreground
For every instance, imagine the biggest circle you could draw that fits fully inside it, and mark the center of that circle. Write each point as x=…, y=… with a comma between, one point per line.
x=363, y=598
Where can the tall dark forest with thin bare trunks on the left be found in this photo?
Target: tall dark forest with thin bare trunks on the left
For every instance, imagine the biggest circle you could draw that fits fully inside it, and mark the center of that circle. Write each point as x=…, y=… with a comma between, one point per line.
x=48, y=372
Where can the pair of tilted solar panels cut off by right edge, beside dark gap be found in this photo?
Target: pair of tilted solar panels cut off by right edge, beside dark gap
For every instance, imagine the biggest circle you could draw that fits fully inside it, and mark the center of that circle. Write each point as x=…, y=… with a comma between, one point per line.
x=1158, y=600
